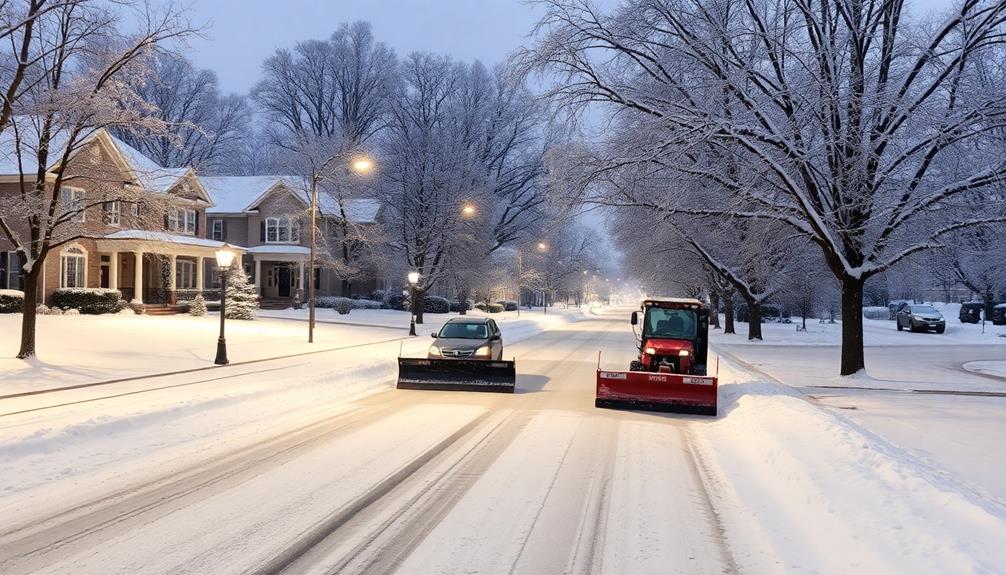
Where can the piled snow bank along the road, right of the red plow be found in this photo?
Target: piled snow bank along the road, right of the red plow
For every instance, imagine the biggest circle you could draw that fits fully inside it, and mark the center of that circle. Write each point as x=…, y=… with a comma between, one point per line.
x=800, y=488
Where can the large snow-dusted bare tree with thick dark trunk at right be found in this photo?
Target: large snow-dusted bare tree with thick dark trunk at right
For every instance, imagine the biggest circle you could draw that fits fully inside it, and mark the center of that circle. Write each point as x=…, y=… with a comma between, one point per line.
x=854, y=115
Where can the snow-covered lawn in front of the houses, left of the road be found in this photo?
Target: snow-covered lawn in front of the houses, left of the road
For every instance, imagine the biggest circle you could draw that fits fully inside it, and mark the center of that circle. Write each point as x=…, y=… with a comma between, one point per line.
x=86, y=349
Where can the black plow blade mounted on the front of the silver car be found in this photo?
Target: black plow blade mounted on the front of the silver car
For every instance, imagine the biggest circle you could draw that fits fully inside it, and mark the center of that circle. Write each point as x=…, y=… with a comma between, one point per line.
x=457, y=375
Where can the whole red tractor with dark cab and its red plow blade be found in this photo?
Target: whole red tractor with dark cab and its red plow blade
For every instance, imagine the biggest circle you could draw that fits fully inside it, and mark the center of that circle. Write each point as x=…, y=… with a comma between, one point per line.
x=670, y=374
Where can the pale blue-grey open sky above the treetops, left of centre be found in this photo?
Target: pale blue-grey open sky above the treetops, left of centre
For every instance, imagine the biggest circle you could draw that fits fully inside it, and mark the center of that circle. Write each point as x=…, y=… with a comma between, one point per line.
x=242, y=34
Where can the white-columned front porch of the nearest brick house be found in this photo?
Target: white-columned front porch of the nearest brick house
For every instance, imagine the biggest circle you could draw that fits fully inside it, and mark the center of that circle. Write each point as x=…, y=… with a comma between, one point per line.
x=162, y=271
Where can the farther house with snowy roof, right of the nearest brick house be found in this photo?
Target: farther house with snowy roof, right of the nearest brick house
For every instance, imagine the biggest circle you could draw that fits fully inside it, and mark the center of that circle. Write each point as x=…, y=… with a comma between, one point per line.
x=271, y=217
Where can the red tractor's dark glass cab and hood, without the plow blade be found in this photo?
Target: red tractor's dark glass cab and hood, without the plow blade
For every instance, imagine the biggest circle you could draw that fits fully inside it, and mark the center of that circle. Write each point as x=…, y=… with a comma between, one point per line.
x=674, y=337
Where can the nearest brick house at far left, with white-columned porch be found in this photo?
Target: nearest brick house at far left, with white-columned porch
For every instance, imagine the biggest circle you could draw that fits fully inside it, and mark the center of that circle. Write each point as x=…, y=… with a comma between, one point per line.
x=153, y=248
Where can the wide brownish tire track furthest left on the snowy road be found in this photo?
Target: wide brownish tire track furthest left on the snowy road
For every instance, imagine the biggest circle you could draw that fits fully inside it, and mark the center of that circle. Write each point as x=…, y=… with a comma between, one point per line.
x=90, y=523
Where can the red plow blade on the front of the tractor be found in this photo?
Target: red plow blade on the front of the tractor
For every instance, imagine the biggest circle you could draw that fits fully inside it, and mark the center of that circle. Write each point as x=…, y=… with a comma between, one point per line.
x=648, y=392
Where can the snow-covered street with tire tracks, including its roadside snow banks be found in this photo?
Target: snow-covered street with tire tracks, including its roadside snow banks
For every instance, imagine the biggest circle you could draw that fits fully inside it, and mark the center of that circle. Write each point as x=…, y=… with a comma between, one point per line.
x=278, y=467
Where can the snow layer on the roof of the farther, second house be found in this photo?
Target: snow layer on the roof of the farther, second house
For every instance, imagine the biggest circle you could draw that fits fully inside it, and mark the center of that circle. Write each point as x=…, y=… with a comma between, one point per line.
x=238, y=195
